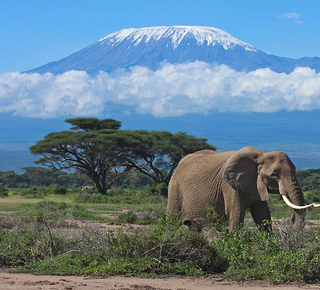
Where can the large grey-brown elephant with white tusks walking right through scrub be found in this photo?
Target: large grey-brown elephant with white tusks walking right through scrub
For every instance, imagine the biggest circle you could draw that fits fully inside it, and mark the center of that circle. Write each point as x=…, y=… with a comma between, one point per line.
x=231, y=182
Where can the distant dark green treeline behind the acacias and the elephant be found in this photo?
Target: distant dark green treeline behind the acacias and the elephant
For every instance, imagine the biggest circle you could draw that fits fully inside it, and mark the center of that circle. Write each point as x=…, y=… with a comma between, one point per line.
x=39, y=176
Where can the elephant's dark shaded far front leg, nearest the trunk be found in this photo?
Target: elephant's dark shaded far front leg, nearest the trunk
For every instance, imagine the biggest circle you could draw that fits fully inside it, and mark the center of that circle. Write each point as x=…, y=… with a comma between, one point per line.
x=261, y=215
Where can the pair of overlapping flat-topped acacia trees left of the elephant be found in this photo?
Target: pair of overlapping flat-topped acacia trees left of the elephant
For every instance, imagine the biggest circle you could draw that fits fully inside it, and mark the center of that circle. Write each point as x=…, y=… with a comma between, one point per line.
x=101, y=151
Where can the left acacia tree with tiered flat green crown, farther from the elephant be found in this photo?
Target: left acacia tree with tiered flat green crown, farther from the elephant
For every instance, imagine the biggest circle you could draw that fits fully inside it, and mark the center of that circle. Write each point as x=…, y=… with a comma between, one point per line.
x=92, y=147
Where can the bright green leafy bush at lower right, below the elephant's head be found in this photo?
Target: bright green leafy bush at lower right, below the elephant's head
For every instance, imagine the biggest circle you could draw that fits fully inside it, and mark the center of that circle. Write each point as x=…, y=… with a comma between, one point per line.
x=280, y=256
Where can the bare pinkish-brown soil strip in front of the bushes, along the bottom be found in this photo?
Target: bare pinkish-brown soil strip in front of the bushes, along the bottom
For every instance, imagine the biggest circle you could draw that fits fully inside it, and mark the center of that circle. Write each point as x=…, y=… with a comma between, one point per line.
x=10, y=281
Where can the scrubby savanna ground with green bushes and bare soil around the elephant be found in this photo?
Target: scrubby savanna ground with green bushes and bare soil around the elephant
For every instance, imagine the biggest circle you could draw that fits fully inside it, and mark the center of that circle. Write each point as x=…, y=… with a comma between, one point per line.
x=75, y=241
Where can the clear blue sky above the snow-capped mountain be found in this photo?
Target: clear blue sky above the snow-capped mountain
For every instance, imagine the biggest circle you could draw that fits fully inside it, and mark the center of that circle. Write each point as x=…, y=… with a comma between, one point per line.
x=35, y=32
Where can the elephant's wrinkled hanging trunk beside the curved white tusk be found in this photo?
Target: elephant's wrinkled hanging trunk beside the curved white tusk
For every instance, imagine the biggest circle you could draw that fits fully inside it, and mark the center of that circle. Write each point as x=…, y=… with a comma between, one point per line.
x=293, y=196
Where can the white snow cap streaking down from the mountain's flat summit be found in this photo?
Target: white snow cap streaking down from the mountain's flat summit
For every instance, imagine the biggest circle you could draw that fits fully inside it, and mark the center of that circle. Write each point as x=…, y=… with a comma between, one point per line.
x=175, y=34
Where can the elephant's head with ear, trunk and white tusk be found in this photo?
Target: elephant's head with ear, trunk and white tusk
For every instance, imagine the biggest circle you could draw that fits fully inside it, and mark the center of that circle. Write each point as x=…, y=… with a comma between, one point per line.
x=256, y=173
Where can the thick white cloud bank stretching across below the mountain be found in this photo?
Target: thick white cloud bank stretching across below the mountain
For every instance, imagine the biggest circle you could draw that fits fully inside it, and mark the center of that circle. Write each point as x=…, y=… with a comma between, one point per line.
x=172, y=90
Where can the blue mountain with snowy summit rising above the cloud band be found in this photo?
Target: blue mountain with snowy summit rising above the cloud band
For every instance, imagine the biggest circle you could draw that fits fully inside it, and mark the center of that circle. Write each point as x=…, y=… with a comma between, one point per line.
x=150, y=46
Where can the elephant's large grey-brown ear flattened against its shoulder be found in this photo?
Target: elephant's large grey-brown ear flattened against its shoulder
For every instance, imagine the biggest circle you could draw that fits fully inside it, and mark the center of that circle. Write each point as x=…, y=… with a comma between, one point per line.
x=241, y=172
